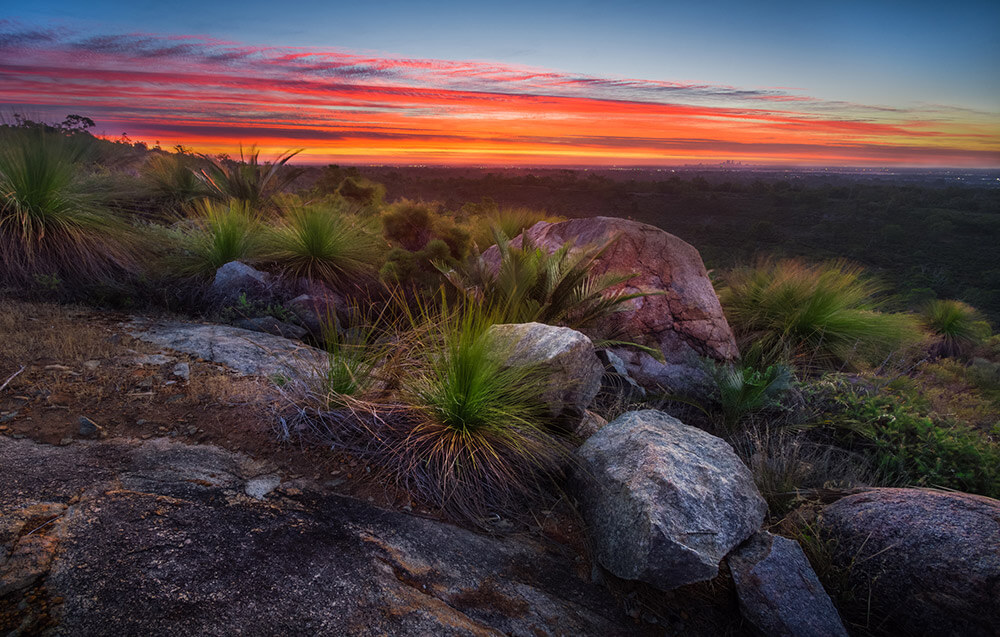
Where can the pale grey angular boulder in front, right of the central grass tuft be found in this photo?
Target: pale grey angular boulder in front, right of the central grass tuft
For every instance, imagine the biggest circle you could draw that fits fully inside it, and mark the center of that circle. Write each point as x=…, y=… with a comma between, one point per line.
x=664, y=502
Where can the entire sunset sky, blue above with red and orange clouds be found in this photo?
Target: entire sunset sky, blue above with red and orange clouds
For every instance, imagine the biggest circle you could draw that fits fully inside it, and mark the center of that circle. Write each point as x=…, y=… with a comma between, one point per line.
x=876, y=83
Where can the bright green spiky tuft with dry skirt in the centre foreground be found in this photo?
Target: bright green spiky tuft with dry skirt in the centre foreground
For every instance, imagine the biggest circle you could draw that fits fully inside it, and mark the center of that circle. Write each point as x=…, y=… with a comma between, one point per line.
x=478, y=445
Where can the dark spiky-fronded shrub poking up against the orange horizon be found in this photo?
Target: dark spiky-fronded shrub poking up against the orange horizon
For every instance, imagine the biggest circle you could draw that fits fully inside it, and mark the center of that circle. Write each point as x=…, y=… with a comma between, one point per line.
x=249, y=181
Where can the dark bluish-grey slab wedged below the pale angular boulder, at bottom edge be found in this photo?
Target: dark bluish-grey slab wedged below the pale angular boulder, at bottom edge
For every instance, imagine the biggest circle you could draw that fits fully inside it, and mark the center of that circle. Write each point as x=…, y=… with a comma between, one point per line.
x=779, y=591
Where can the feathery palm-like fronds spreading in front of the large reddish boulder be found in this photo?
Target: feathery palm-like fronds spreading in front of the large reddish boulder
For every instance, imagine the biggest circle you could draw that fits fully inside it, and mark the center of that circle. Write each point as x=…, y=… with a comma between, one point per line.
x=532, y=284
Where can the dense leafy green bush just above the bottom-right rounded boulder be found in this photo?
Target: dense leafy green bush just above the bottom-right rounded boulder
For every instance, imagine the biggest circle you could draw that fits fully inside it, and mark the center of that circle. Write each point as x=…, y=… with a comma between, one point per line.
x=910, y=448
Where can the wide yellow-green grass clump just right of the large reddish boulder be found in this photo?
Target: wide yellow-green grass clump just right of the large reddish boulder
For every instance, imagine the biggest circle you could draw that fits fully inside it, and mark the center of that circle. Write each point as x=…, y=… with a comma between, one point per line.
x=814, y=316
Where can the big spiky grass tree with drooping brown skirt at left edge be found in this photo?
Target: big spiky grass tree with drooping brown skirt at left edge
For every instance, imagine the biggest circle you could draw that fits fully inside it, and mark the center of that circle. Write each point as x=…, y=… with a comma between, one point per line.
x=50, y=224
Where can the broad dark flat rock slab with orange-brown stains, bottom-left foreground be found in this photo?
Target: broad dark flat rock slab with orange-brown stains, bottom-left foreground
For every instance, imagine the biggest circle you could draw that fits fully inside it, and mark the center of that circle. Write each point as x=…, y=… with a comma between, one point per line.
x=160, y=538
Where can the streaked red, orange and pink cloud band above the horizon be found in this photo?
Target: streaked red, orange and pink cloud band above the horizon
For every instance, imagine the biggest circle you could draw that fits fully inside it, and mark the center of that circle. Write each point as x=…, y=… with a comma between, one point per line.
x=354, y=106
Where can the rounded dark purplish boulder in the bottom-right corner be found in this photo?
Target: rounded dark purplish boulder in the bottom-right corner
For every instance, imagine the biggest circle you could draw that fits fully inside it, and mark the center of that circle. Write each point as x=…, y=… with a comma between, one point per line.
x=928, y=561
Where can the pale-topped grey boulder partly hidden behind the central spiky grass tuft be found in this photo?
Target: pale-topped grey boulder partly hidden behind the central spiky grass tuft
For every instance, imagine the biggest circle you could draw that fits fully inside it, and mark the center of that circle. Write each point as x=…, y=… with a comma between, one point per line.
x=571, y=368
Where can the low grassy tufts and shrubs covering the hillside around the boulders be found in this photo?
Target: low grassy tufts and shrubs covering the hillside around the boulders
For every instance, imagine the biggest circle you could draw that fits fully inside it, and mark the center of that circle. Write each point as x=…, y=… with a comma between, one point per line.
x=839, y=385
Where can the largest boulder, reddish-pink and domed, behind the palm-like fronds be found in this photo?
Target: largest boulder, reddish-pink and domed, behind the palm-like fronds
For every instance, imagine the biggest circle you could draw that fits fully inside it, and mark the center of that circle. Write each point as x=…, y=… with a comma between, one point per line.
x=684, y=320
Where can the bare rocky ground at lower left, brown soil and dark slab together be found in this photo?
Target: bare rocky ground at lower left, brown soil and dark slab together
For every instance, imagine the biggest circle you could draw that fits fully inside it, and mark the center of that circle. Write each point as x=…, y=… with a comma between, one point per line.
x=144, y=490
